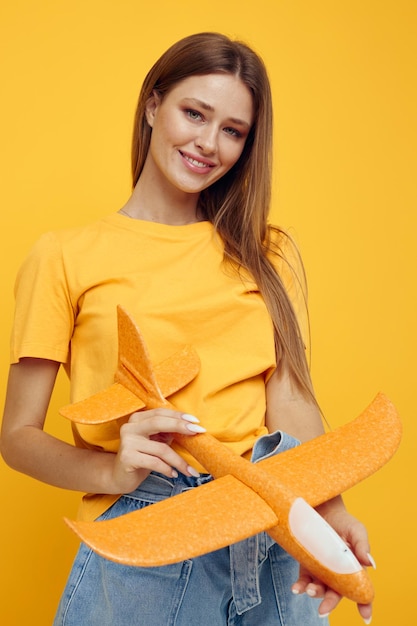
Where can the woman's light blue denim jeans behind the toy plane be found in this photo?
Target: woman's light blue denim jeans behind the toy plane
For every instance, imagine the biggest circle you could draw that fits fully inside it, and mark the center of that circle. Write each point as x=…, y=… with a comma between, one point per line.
x=246, y=584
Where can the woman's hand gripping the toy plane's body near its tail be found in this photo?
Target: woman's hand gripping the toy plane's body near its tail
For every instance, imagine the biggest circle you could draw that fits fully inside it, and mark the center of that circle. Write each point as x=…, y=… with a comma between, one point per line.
x=145, y=446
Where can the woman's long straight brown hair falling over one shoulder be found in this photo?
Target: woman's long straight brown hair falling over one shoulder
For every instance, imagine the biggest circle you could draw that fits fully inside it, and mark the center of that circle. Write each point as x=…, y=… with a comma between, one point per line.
x=237, y=204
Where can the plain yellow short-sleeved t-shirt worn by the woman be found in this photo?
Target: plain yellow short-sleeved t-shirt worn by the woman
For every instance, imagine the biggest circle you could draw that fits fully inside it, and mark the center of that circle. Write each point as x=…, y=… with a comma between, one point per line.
x=173, y=282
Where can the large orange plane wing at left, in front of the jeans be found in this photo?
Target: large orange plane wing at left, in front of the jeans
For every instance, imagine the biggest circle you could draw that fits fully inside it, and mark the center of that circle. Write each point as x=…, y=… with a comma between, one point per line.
x=185, y=526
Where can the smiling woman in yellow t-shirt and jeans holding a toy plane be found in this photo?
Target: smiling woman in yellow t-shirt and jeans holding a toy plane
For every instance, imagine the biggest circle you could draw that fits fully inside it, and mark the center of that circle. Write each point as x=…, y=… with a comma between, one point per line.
x=192, y=259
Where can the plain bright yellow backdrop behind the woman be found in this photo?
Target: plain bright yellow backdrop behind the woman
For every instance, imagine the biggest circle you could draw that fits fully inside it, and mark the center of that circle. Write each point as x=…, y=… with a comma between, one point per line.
x=344, y=82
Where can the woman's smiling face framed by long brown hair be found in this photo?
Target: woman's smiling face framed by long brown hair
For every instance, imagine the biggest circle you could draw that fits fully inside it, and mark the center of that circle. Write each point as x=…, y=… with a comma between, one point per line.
x=199, y=129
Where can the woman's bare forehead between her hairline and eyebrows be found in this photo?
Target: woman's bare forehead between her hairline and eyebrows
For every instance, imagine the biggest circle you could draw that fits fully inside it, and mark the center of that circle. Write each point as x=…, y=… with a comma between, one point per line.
x=225, y=94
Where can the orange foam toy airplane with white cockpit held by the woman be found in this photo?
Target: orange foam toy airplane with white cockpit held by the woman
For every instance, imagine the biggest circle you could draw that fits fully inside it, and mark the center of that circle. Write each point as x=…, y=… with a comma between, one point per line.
x=276, y=495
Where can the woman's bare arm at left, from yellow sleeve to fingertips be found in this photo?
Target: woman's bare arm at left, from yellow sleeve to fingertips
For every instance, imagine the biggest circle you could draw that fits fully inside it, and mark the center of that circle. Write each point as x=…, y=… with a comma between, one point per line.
x=26, y=447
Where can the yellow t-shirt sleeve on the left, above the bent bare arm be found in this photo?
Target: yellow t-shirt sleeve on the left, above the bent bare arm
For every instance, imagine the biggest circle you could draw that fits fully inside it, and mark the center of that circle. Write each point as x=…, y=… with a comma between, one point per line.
x=44, y=314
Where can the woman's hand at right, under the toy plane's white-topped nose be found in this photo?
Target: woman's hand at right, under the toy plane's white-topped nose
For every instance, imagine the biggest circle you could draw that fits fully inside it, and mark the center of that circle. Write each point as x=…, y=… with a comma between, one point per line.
x=356, y=537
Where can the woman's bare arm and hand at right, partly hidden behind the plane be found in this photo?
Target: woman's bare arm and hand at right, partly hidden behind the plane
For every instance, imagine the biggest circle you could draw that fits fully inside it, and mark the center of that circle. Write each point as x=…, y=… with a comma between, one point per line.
x=289, y=410
